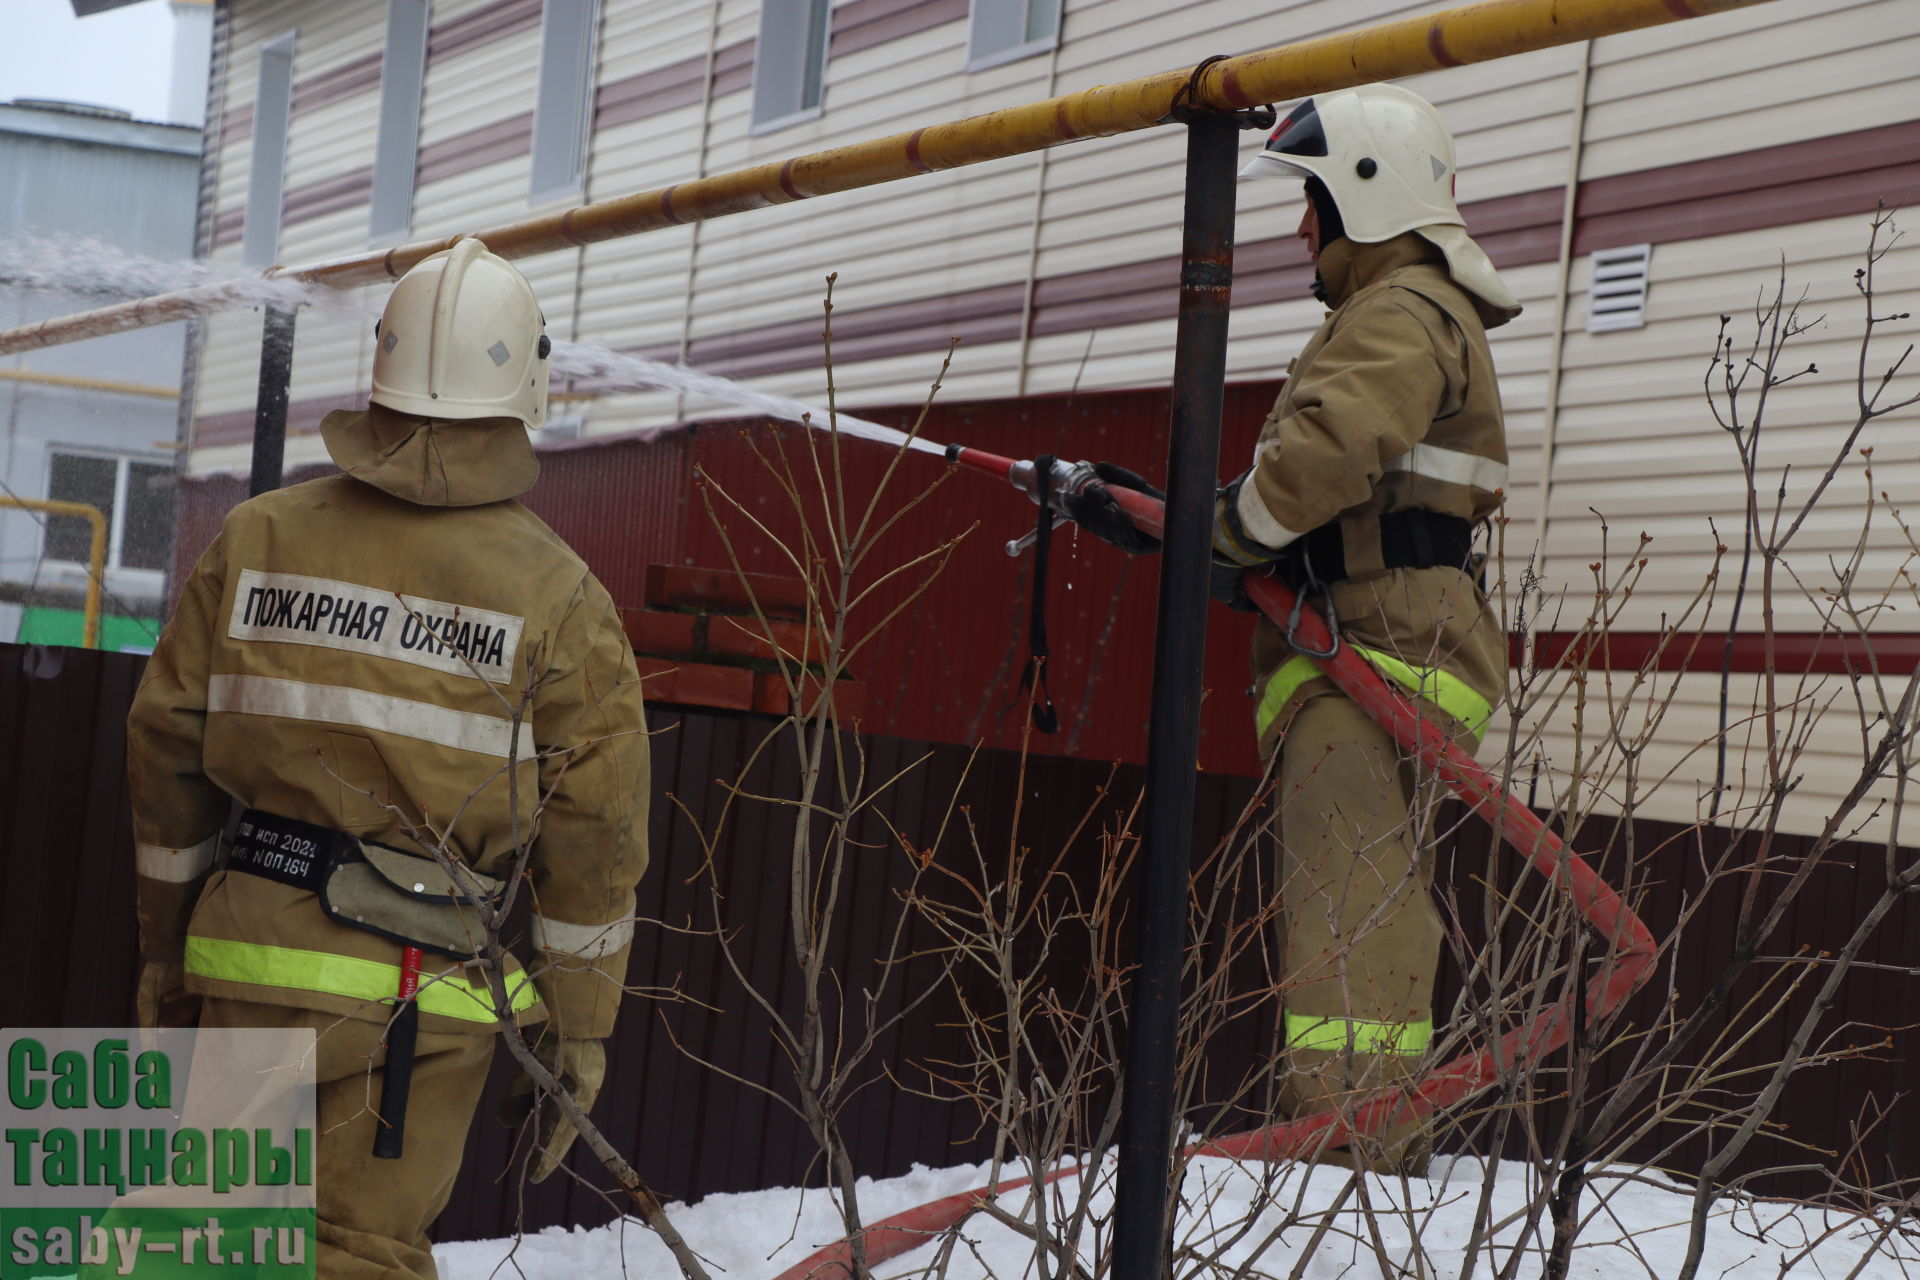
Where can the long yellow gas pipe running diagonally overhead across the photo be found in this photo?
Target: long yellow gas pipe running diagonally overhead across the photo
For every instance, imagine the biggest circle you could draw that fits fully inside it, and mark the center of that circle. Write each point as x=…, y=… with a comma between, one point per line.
x=1383, y=53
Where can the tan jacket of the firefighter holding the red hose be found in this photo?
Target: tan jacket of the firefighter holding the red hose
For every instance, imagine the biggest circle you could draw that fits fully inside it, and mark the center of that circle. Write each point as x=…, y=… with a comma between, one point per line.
x=1391, y=406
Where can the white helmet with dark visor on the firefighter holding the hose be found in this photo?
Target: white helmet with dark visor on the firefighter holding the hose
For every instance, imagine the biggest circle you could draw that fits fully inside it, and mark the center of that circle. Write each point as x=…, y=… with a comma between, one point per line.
x=1387, y=160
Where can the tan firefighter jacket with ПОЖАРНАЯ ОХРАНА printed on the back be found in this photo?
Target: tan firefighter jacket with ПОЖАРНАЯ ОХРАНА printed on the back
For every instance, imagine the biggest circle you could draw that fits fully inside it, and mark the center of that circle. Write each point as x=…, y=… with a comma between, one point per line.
x=408, y=657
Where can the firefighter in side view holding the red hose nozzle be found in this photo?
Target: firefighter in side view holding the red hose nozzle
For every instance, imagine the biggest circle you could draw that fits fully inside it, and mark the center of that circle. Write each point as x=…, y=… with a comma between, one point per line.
x=1381, y=458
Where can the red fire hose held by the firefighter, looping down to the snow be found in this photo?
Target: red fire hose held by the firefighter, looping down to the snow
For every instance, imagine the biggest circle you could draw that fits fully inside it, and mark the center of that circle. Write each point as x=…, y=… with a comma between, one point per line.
x=1623, y=970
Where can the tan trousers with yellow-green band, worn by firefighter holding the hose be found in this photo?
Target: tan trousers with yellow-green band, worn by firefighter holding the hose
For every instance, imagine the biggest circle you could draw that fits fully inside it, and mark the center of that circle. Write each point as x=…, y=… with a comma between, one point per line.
x=1360, y=930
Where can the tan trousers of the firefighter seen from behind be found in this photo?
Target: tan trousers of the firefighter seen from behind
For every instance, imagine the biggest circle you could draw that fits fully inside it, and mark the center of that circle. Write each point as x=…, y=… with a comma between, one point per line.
x=373, y=1214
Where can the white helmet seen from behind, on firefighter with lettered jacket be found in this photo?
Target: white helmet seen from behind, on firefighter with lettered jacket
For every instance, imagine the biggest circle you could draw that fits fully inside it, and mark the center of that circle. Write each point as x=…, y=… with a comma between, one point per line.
x=464, y=339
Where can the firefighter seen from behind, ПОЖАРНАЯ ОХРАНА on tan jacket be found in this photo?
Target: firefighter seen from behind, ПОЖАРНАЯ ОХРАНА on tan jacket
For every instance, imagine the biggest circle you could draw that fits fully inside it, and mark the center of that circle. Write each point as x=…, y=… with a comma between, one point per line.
x=381, y=665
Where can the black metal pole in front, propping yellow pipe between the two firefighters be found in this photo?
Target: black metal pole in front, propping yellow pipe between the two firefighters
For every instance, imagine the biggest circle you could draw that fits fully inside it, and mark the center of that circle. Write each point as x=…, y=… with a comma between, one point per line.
x=1174, y=732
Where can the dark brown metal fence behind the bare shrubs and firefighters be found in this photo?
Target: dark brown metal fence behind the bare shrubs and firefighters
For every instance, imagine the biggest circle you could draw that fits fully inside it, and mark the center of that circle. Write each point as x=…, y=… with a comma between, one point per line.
x=66, y=920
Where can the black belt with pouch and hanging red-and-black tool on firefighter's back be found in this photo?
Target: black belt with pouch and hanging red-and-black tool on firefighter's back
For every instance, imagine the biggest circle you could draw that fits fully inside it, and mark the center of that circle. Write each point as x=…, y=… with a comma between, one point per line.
x=410, y=899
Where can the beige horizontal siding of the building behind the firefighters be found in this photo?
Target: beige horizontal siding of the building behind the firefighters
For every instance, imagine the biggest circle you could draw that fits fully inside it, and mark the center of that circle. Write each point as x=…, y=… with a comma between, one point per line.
x=1631, y=433
